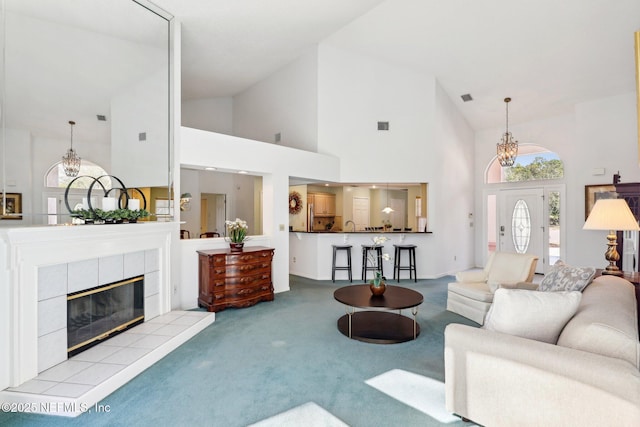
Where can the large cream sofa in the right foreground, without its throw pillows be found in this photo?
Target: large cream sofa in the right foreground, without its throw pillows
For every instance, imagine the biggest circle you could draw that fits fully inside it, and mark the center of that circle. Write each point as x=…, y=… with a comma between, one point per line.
x=589, y=378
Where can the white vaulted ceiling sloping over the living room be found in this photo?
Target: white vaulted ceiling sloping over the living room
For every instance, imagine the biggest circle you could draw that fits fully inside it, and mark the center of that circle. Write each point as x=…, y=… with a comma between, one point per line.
x=547, y=55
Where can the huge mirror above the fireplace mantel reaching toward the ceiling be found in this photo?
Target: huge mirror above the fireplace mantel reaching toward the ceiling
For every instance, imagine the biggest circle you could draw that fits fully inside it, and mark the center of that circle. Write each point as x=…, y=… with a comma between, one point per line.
x=103, y=64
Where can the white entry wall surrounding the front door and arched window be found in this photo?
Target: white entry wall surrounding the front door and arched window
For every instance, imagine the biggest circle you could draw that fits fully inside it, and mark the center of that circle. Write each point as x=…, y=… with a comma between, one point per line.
x=601, y=134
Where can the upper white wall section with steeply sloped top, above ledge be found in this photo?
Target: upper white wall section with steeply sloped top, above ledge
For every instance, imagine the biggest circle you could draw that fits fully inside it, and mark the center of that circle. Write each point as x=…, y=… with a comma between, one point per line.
x=285, y=103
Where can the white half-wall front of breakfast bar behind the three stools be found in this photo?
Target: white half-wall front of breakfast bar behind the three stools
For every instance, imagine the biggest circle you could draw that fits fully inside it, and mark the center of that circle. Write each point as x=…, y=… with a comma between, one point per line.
x=310, y=253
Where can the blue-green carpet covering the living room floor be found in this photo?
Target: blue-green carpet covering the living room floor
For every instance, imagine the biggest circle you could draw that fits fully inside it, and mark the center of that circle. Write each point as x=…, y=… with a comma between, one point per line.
x=253, y=363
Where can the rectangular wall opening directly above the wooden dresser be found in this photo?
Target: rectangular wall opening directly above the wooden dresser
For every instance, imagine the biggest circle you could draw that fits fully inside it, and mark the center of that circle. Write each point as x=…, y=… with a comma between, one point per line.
x=216, y=196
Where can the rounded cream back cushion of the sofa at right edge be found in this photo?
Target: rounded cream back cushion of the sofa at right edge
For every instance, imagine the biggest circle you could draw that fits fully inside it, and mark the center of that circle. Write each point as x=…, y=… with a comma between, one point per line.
x=606, y=322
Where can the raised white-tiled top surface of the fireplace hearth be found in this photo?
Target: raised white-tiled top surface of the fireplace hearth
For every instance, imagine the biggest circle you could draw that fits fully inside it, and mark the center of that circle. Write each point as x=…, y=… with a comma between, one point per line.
x=81, y=373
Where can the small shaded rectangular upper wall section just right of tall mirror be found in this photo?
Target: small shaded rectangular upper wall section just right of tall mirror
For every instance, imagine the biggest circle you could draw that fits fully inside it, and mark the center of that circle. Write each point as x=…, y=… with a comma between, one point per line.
x=212, y=114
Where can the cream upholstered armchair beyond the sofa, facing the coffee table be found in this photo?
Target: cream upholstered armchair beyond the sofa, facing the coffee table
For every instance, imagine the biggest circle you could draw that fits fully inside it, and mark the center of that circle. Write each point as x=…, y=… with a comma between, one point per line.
x=471, y=294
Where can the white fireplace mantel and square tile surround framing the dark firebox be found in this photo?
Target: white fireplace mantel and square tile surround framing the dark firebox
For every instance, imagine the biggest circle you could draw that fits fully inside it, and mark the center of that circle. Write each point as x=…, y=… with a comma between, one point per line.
x=40, y=265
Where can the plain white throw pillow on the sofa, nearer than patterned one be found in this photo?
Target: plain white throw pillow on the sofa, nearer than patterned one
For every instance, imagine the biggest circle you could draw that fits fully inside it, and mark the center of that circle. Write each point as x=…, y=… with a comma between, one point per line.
x=529, y=314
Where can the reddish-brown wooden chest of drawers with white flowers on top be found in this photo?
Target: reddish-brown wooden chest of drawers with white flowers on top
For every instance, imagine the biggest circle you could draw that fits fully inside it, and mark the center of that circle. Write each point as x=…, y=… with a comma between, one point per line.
x=234, y=279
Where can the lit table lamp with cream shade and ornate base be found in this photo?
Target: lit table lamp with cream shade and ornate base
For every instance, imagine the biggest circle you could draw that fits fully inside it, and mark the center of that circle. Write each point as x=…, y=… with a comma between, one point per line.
x=612, y=215
